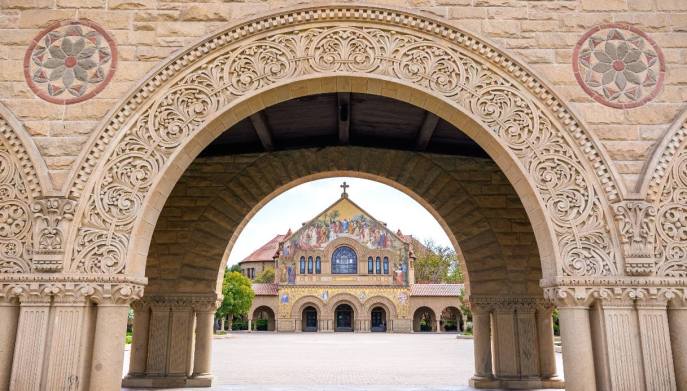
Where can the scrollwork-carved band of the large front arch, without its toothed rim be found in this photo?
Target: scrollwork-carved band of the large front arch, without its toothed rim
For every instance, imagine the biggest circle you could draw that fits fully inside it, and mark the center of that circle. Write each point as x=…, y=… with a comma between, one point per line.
x=453, y=71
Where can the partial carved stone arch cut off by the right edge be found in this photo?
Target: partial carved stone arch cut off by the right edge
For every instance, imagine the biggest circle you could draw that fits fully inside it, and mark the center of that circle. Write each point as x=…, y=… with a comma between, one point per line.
x=665, y=191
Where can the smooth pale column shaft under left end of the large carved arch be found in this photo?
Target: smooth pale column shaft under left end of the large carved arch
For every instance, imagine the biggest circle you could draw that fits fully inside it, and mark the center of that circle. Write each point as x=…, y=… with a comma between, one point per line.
x=108, y=347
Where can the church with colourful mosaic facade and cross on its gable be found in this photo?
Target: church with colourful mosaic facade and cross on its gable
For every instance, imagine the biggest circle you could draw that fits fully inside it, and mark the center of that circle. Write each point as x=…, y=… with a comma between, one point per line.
x=346, y=271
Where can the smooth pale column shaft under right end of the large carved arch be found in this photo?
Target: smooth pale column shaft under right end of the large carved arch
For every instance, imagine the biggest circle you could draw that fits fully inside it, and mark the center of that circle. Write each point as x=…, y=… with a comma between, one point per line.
x=578, y=358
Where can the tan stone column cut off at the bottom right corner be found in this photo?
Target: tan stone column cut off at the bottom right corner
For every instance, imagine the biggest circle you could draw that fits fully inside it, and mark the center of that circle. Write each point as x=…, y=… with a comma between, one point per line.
x=677, y=319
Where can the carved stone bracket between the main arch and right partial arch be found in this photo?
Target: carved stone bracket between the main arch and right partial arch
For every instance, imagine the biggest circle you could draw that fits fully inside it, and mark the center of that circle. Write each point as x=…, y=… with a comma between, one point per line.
x=637, y=228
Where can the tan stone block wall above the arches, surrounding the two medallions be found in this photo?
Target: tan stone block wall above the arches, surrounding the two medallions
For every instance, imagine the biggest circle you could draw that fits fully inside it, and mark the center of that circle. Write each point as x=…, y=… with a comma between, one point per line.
x=542, y=34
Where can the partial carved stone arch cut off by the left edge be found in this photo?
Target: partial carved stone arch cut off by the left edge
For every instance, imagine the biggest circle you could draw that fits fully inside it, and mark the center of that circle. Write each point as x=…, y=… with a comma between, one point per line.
x=23, y=179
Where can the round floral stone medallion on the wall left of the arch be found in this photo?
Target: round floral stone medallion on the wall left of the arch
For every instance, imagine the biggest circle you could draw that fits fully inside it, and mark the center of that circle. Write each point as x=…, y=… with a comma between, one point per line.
x=70, y=61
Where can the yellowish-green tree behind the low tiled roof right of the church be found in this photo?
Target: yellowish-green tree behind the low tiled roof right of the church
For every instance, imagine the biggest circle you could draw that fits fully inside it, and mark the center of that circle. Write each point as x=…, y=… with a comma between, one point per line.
x=437, y=264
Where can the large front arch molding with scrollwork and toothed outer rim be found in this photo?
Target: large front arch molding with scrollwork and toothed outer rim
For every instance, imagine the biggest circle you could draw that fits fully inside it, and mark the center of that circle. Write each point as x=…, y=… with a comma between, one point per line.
x=529, y=123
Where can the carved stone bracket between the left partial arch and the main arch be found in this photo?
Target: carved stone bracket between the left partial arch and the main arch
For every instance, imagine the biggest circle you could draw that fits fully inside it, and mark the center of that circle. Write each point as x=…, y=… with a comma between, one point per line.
x=51, y=217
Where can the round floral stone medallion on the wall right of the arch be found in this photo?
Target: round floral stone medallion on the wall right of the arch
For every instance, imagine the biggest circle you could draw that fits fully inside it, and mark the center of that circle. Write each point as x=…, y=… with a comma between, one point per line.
x=619, y=66
